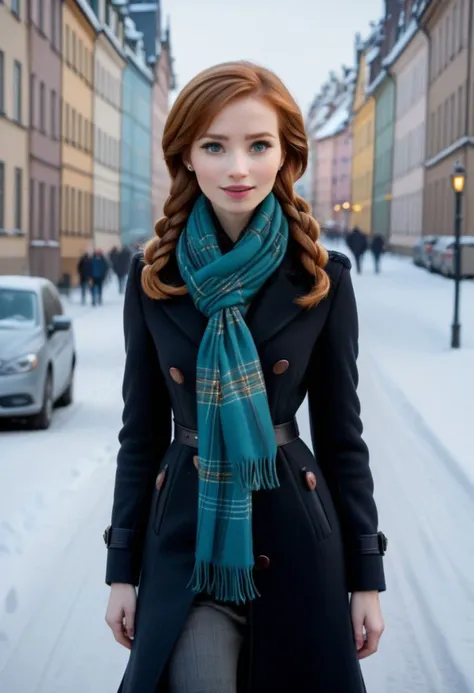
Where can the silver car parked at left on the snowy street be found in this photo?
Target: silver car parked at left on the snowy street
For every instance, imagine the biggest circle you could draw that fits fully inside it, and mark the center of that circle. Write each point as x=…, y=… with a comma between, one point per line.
x=37, y=350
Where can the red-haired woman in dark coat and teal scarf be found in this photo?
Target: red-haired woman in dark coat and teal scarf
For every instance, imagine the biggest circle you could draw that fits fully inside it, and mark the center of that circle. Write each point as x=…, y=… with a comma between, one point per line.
x=244, y=544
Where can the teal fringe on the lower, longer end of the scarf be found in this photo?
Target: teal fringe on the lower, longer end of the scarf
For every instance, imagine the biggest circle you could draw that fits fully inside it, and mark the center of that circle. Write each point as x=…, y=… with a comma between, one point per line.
x=225, y=583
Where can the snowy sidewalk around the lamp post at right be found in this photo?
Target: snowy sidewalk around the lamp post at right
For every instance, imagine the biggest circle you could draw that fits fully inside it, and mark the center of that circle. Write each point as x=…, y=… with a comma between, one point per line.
x=405, y=316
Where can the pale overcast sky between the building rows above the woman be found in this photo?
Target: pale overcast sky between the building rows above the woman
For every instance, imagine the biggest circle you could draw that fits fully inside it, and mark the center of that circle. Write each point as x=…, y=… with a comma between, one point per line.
x=301, y=40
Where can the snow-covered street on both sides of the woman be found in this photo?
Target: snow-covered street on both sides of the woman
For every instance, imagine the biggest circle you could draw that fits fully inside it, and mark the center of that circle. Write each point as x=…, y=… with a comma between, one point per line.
x=56, y=489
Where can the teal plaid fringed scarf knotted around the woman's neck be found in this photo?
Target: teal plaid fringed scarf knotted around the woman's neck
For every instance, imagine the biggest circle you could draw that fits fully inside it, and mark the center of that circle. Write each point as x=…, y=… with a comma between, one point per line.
x=236, y=444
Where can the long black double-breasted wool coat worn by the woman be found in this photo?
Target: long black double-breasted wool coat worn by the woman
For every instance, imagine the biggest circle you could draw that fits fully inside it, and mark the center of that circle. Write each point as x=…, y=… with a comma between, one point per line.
x=299, y=637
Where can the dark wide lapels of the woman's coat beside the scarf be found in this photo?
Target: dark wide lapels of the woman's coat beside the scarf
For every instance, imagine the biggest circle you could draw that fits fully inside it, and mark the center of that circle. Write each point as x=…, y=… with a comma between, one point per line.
x=270, y=311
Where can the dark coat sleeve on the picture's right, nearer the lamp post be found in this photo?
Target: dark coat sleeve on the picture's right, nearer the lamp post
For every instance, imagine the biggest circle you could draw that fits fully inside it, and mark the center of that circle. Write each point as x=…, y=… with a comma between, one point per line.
x=336, y=432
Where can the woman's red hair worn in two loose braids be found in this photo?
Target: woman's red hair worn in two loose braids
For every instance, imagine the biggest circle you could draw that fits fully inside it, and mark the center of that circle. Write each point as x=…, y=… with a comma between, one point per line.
x=193, y=111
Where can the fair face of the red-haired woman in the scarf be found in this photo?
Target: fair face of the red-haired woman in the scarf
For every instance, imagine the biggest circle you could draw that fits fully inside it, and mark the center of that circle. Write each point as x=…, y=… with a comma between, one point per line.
x=237, y=160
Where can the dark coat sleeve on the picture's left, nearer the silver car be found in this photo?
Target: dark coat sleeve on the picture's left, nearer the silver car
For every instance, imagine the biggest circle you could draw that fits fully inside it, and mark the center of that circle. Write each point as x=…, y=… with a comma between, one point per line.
x=144, y=437
